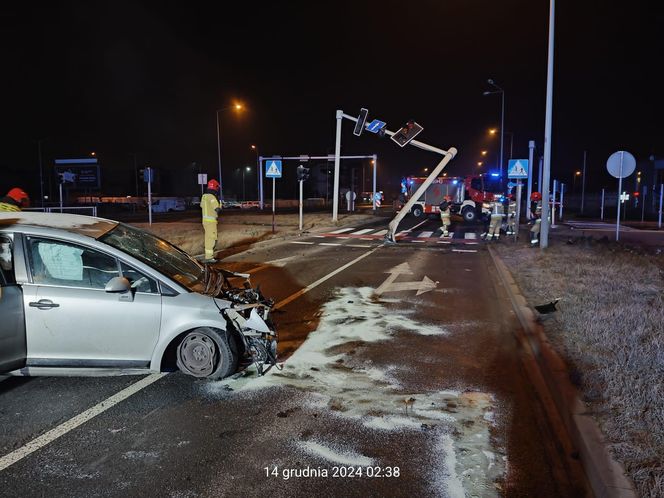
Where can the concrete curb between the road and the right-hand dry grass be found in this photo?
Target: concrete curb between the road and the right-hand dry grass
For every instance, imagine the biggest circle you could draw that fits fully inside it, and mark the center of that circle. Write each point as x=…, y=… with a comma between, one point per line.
x=605, y=475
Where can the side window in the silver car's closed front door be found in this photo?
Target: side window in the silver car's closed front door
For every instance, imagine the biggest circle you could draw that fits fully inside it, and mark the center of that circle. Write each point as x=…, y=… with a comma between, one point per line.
x=54, y=262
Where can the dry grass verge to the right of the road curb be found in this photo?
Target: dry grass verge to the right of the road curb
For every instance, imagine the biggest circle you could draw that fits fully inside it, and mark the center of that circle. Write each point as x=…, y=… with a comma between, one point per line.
x=610, y=330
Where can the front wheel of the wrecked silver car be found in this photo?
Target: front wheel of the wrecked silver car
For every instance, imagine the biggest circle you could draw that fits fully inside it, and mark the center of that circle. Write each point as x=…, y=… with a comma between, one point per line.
x=204, y=352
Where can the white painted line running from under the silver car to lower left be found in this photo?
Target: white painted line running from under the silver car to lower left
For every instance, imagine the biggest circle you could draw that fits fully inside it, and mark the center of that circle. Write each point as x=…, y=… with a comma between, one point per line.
x=74, y=422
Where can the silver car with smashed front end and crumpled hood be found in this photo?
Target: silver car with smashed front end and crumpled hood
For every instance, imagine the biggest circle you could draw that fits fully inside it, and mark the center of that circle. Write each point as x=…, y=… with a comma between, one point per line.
x=89, y=296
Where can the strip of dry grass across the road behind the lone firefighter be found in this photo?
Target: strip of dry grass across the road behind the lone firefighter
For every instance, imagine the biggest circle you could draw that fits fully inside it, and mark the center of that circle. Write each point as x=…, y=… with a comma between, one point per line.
x=234, y=229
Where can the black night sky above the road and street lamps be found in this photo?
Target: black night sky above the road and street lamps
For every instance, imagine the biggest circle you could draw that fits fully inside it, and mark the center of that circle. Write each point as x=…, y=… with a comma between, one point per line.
x=143, y=80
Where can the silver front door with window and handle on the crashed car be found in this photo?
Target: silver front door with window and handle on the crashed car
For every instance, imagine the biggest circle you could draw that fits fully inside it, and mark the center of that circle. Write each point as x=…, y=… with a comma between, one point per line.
x=71, y=321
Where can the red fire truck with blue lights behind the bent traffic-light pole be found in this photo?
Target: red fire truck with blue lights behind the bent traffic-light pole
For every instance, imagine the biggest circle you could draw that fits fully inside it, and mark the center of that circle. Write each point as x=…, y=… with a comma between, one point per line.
x=471, y=196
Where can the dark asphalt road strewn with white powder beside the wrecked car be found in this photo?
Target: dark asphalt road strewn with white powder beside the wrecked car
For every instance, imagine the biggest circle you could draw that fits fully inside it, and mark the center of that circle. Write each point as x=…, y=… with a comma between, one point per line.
x=402, y=378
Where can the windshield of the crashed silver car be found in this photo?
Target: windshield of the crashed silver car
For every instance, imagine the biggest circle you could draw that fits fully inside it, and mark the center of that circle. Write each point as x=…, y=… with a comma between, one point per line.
x=157, y=253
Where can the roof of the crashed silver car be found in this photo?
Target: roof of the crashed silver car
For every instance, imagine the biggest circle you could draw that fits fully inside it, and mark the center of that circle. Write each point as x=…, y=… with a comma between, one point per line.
x=89, y=226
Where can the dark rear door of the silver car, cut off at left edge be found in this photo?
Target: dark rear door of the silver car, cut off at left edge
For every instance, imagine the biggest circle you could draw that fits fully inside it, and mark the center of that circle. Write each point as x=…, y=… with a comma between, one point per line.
x=12, y=323
